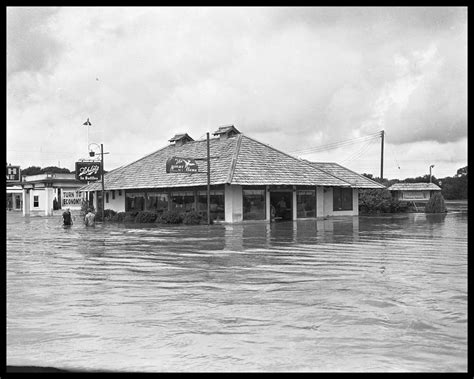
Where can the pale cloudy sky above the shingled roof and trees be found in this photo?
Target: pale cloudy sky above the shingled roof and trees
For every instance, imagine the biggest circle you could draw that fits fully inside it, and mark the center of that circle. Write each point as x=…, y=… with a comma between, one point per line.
x=318, y=83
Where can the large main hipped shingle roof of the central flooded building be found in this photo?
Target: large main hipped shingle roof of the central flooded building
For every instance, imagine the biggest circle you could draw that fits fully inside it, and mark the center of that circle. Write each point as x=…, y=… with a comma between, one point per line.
x=240, y=160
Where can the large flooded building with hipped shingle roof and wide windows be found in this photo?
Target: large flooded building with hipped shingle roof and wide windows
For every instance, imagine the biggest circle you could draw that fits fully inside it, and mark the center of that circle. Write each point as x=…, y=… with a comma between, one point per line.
x=249, y=180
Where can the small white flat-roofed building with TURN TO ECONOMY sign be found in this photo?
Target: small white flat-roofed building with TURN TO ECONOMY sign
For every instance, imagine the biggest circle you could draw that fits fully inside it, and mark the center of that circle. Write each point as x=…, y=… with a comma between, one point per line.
x=44, y=193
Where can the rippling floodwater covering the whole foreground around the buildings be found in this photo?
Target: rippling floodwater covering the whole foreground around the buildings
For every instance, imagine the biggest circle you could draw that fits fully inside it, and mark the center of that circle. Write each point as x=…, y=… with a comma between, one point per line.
x=378, y=294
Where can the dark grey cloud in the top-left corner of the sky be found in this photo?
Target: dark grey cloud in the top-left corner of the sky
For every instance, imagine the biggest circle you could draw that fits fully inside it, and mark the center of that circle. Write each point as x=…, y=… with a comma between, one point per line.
x=31, y=46
